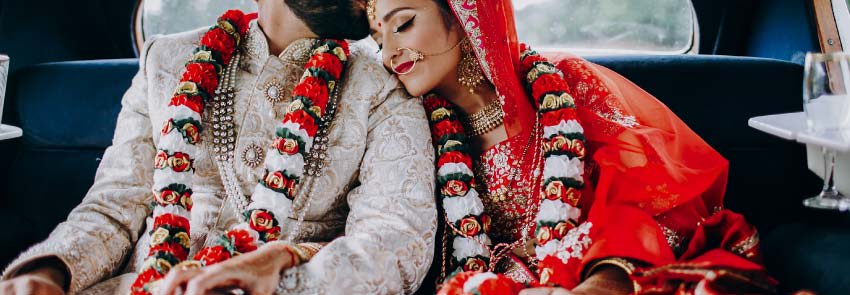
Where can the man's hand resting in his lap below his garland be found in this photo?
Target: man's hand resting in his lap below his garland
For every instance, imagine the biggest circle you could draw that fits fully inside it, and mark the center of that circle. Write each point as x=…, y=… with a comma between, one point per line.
x=257, y=272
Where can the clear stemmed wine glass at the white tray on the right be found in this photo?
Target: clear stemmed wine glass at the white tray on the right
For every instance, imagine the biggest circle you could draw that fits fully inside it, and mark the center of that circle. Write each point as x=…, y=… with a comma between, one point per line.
x=827, y=106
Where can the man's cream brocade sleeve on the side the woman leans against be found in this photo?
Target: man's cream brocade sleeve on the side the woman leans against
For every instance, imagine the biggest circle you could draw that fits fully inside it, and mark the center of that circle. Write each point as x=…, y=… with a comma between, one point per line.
x=390, y=231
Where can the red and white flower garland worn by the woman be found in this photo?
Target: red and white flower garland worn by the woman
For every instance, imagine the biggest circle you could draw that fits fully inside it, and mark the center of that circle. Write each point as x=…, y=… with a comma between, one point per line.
x=563, y=147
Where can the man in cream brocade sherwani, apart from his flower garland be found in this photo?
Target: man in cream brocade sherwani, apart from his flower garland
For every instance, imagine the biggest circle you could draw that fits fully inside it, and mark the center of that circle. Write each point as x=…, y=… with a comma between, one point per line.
x=369, y=215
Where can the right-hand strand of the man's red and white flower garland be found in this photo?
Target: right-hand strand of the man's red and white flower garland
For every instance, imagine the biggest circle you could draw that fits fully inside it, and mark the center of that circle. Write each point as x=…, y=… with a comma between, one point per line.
x=284, y=166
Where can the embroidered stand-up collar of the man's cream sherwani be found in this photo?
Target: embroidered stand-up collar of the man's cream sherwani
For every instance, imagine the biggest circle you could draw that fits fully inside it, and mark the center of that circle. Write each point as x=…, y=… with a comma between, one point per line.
x=257, y=47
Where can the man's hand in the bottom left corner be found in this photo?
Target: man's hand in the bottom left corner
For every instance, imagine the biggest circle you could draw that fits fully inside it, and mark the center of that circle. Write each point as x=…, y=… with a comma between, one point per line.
x=46, y=280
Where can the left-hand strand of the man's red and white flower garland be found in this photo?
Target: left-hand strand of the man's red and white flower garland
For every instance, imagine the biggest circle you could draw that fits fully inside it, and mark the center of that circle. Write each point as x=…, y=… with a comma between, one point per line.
x=177, y=149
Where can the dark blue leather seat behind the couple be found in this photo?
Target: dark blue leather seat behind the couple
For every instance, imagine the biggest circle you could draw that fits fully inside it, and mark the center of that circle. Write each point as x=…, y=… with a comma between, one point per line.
x=68, y=112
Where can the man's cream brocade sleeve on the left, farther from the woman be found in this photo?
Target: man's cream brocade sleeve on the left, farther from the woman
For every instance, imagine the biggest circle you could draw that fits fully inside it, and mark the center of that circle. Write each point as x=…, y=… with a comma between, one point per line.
x=100, y=232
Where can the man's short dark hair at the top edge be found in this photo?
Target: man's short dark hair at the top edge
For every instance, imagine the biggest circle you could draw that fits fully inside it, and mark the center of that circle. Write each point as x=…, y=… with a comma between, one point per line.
x=338, y=19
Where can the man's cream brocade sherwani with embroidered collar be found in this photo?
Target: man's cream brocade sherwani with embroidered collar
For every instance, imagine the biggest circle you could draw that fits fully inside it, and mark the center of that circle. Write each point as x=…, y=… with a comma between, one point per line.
x=374, y=201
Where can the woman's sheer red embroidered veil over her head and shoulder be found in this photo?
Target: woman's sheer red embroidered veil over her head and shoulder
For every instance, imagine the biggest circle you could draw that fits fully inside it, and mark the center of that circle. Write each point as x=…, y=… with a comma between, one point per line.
x=645, y=167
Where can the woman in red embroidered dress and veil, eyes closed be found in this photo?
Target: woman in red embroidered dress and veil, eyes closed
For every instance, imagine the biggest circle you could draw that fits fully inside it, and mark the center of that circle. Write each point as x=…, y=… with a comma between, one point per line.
x=558, y=173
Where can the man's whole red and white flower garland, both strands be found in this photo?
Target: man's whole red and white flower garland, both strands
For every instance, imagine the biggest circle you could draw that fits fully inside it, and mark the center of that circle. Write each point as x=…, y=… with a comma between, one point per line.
x=181, y=133
